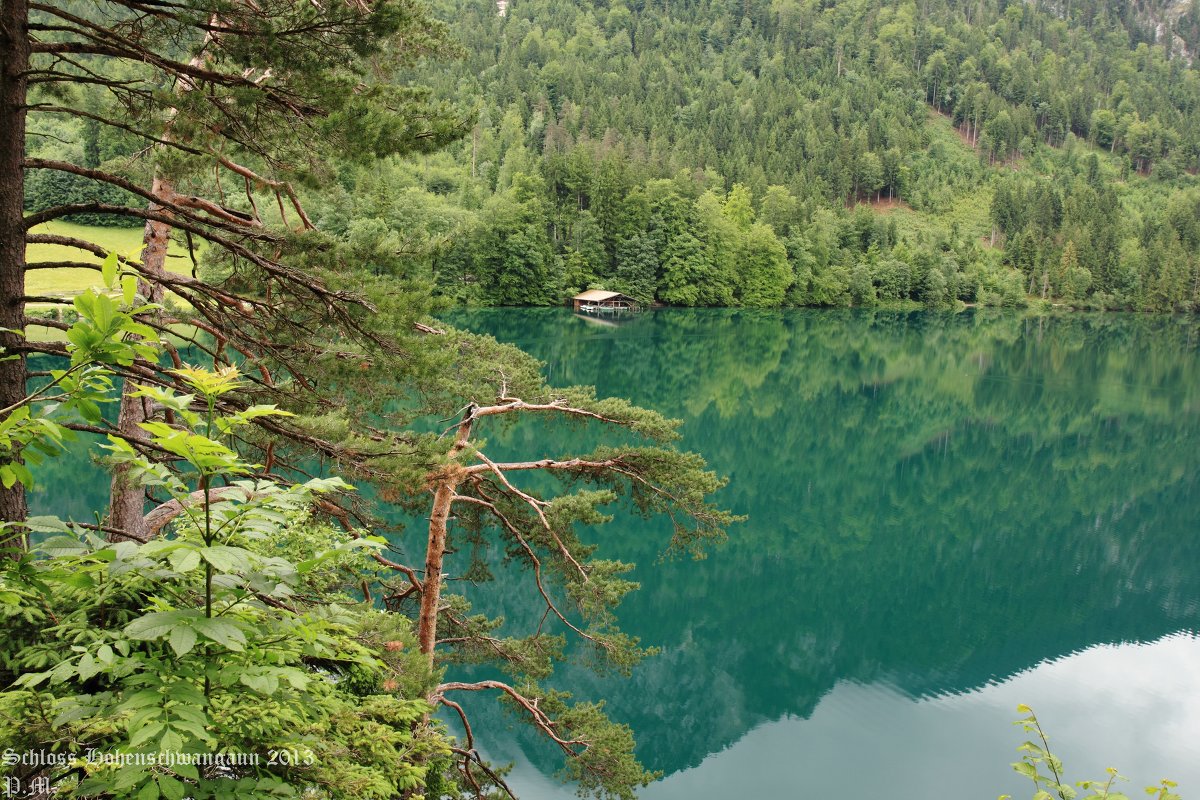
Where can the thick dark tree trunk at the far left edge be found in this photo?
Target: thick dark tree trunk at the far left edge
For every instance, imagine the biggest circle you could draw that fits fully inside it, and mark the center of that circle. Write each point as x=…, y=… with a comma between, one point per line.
x=14, y=69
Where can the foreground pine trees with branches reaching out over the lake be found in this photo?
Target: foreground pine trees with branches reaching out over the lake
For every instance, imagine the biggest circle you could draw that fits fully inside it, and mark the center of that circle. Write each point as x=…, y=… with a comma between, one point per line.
x=332, y=329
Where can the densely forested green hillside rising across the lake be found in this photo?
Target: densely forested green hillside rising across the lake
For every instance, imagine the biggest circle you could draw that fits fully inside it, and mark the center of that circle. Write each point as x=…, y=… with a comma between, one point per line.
x=770, y=153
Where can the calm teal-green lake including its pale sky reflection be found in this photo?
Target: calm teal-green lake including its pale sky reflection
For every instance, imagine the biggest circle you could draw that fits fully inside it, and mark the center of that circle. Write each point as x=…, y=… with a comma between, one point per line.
x=947, y=515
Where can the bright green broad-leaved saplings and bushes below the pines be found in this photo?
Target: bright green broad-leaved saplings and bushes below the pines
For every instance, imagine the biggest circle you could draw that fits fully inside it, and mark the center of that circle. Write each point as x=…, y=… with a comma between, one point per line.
x=229, y=659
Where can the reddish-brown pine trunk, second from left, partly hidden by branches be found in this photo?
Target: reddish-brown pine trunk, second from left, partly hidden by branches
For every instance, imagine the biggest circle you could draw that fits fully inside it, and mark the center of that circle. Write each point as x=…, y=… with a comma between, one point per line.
x=128, y=501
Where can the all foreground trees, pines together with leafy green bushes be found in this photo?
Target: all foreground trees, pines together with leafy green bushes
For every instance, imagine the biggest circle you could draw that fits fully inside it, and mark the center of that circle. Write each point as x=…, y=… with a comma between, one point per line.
x=317, y=346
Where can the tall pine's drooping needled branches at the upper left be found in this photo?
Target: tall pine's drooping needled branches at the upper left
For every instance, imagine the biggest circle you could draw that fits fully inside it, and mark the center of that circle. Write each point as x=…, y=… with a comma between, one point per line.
x=257, y=95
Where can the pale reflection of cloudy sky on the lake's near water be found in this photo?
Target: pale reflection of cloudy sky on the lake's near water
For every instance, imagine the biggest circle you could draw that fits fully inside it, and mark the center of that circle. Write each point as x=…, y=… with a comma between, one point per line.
x=1133, y=706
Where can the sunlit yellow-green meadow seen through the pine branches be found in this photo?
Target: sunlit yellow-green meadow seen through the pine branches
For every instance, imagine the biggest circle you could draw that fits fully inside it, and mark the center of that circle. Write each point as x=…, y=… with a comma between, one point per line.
x=69, y=282
